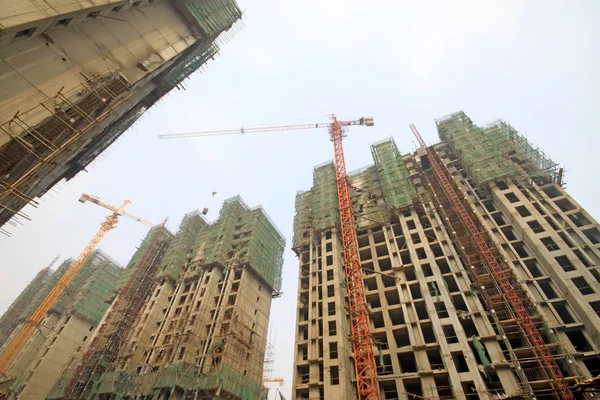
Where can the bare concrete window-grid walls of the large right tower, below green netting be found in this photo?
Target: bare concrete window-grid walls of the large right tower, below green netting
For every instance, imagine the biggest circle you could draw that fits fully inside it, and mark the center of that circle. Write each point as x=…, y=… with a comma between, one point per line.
x=424, y=310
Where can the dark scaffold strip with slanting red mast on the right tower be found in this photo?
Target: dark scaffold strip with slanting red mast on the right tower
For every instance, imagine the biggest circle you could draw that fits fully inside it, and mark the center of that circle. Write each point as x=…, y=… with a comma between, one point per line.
x=537, y=360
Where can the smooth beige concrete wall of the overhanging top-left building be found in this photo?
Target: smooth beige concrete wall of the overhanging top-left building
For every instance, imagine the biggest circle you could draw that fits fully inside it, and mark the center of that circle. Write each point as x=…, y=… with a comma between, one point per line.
x=131, y=42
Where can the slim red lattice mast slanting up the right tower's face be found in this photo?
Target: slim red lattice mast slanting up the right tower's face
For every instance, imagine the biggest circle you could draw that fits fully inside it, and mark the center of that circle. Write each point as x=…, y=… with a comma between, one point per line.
x=524, y=320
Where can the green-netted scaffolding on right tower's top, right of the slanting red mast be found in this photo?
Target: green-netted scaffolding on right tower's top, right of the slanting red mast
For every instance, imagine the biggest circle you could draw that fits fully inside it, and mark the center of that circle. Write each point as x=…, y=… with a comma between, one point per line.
x=490, y=153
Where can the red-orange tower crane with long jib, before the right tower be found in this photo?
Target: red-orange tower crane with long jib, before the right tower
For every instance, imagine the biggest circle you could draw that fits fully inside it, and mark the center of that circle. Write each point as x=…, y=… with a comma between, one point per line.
x=362, y=341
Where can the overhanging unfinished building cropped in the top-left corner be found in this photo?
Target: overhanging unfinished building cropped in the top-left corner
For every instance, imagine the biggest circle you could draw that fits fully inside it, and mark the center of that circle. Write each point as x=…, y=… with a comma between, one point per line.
x=76, y=74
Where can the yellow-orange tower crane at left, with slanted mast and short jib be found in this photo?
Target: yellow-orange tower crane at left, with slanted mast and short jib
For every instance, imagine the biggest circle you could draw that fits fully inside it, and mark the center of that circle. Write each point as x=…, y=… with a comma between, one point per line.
x=26, y=330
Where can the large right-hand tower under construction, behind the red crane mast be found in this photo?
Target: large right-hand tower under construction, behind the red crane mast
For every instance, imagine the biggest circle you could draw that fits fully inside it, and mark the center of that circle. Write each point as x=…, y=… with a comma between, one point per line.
x=480, y=273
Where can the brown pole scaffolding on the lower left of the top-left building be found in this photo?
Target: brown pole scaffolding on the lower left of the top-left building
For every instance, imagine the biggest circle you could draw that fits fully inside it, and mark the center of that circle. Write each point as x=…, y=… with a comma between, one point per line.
x=39, y=135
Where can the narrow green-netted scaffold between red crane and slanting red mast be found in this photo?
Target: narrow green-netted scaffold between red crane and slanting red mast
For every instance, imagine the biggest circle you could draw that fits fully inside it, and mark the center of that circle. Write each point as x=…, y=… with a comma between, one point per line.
x=393, y=175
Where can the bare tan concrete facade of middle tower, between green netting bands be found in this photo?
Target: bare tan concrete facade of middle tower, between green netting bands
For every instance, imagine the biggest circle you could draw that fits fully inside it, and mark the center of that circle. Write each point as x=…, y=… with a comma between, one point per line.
x=211, y=317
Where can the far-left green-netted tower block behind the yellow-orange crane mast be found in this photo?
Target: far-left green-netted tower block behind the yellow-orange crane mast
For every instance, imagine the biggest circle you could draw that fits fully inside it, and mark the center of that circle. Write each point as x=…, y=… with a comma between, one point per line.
x=64, y=330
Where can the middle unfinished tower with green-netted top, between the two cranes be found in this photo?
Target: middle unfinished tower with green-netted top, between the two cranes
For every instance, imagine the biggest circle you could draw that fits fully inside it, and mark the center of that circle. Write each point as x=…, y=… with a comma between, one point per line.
x=196, y=328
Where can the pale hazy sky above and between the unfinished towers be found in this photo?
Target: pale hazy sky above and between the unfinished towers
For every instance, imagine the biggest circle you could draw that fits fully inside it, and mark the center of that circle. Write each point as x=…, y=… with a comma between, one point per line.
x=534, y=64
